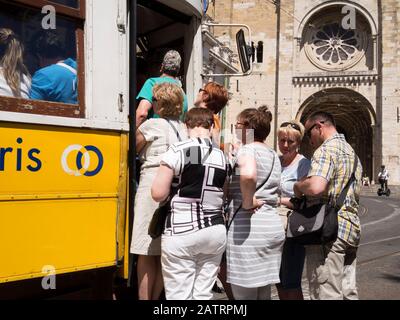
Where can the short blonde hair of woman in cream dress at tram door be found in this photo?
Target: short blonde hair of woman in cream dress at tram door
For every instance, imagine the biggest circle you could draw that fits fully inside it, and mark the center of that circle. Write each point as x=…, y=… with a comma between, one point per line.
x=169, y=98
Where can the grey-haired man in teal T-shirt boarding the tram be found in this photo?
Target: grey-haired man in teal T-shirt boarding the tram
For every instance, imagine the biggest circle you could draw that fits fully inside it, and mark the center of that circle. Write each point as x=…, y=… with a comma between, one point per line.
x=169, y=72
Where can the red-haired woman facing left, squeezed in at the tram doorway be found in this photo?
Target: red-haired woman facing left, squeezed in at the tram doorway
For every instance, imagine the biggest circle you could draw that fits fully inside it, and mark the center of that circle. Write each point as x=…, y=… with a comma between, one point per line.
x=214, y=97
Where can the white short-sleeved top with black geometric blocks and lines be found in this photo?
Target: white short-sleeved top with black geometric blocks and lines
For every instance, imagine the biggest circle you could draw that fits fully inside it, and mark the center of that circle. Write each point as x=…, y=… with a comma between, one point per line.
x=201, y=170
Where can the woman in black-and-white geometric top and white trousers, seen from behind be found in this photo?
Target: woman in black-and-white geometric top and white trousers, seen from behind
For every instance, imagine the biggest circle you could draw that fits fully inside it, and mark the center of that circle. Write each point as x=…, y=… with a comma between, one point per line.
x=194, y=238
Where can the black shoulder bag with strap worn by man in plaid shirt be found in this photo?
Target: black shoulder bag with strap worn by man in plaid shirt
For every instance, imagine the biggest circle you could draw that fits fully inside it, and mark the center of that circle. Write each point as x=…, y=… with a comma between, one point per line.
x=317, y=224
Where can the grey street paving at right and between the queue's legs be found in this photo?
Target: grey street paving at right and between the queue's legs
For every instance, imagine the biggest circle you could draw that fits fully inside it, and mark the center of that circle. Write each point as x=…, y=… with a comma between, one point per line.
x=378, y=275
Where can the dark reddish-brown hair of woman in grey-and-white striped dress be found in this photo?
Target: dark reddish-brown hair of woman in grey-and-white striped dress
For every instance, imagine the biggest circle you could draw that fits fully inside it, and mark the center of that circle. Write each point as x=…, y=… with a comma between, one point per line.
x=257, y=119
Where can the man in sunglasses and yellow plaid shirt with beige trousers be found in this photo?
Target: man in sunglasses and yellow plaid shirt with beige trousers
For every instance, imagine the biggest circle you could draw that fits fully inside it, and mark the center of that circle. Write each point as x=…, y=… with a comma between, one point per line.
x=331, y=268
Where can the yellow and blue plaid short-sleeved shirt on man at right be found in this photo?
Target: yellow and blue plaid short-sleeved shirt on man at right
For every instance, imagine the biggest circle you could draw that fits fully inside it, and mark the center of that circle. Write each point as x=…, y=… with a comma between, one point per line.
x=334, y=161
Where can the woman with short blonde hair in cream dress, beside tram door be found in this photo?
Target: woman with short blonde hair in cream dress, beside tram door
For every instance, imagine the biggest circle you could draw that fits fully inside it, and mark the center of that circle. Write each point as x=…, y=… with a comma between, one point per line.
x=153, y=137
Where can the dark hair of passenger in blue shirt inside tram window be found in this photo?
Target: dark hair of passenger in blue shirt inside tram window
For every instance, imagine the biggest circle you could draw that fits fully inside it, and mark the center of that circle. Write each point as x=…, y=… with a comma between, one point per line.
x=49, y=45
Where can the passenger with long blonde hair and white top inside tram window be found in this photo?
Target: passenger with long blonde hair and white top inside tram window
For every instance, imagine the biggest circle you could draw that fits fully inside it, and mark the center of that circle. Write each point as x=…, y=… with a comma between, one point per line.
x=14, y=75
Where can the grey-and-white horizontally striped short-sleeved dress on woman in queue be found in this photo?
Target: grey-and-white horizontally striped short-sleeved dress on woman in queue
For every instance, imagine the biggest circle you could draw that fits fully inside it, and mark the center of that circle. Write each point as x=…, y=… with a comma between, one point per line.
x=255, y=240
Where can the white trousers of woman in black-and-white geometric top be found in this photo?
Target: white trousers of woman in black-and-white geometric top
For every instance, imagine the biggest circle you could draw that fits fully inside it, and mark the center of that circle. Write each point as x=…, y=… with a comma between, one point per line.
x=190, y=263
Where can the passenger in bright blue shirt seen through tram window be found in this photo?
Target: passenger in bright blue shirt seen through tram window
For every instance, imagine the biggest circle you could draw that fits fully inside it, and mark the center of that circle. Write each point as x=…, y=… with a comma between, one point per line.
x=57, y=79
